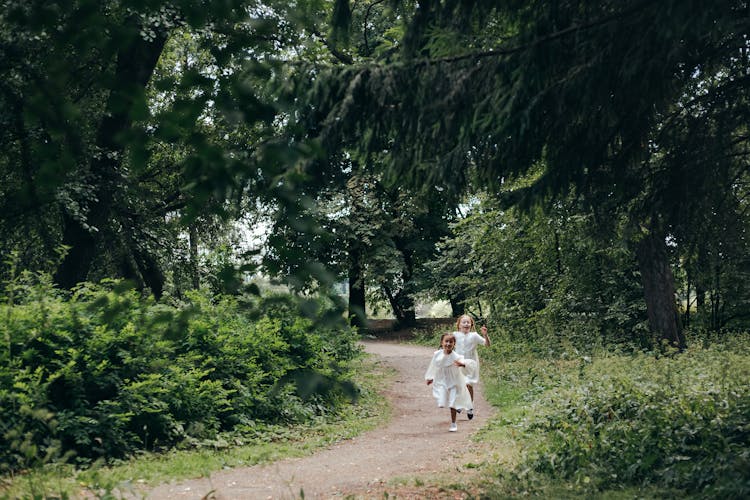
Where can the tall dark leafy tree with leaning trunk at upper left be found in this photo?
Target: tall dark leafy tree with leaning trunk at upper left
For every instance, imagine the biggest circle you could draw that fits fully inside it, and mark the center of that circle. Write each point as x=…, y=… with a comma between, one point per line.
x=78, y=78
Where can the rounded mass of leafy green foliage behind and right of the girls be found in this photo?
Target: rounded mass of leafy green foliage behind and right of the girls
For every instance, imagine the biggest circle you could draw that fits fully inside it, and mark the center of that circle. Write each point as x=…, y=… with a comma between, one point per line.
x=552, y=276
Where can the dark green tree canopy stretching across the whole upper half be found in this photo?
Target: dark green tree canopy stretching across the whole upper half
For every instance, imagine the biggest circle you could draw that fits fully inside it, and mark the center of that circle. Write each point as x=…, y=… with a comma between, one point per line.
x=135, y=132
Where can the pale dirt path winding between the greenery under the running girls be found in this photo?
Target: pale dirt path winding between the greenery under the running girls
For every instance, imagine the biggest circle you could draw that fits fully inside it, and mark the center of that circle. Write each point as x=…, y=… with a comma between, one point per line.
x=416, y=442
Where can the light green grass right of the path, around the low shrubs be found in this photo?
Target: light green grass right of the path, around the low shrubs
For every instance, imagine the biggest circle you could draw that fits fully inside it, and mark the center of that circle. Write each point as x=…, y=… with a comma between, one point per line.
x=522, y=385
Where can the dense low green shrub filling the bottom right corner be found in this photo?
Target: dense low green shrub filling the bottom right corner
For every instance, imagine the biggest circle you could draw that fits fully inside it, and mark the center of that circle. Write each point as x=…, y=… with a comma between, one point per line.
x=673, y=422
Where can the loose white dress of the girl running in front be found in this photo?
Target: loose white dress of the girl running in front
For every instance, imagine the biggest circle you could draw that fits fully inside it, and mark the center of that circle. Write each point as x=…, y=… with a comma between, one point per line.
x=448, y=382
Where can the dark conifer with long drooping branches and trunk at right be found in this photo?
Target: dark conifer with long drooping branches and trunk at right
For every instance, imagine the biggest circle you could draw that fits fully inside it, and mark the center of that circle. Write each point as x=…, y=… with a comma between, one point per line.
x=580, y=89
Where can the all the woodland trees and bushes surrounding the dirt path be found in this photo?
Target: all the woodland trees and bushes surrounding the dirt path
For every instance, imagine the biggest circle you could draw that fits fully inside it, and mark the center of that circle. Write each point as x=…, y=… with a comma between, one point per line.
x=574, y=174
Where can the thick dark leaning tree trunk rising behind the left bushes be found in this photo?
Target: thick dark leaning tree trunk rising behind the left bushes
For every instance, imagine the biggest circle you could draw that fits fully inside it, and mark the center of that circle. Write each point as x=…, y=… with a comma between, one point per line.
x=135, y=65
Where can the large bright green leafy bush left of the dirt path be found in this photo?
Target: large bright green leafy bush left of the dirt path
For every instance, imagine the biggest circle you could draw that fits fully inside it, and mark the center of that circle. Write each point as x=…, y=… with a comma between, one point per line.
x=104, y=372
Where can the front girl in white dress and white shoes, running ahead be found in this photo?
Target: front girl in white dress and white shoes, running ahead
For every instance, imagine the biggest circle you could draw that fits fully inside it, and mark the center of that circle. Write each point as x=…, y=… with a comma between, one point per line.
x=448, y=382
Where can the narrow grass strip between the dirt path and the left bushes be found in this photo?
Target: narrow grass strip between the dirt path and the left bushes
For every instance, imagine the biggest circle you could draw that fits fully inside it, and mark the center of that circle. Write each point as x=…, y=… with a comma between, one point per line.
x=140, y=472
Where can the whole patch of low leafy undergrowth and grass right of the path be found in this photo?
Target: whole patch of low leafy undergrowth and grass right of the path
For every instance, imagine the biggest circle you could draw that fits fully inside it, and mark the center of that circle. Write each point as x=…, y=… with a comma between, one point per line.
x=608, y=421
